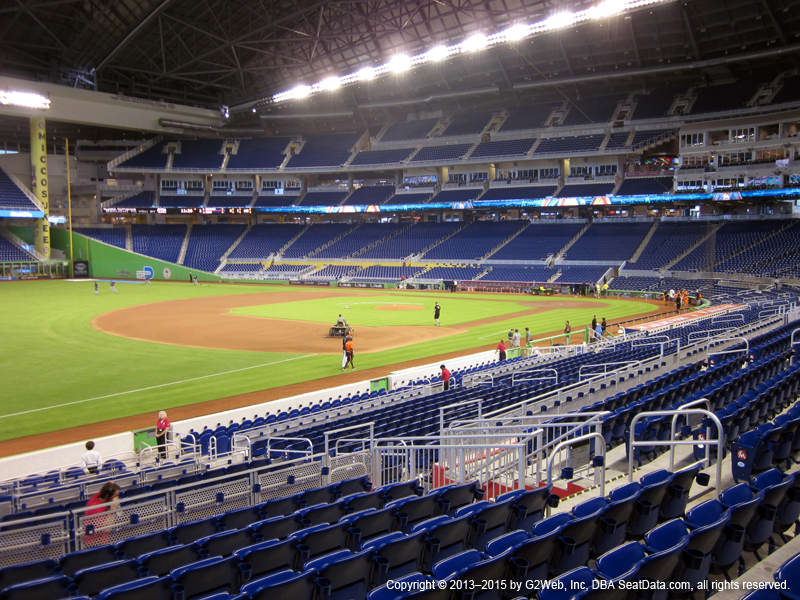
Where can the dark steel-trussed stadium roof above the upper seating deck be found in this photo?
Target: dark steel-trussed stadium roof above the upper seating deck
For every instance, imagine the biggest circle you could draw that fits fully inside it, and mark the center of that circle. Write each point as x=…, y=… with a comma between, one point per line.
x=236, y=52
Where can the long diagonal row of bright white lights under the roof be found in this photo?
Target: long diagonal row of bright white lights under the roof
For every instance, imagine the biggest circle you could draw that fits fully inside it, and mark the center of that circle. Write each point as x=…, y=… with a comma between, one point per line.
x=476, y=42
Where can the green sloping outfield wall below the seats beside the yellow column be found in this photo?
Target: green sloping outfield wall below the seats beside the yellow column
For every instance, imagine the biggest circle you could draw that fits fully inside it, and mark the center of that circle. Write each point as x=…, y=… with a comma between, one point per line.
x=110, y=262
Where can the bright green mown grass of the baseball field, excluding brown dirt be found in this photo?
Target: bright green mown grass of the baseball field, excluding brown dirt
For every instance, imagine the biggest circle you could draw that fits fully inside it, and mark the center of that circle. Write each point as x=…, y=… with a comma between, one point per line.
x=58, y=371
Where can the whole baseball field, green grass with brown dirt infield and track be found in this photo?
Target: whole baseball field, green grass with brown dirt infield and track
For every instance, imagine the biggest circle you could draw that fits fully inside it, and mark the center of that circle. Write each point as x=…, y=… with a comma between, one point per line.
x=72, y=358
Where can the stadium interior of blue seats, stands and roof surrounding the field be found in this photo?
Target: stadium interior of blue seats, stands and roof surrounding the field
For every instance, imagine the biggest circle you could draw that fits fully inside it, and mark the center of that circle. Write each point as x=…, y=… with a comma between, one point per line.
x=576, y=148
